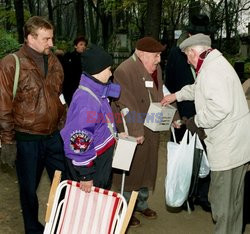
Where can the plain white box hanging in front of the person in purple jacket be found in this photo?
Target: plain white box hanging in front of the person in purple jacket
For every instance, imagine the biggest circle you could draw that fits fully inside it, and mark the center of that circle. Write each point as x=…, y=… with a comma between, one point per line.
x=124, y=153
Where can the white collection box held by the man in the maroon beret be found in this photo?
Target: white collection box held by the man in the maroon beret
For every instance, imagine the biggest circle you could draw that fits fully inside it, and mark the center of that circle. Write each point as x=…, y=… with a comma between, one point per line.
x=159, y=118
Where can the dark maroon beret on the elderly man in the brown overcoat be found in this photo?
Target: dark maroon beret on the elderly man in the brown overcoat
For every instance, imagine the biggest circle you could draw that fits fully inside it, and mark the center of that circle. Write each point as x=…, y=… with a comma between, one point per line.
x=149, y=44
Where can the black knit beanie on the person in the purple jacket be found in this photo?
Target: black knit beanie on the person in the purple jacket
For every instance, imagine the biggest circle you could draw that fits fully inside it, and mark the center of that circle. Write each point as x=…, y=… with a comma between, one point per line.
x=95, y=59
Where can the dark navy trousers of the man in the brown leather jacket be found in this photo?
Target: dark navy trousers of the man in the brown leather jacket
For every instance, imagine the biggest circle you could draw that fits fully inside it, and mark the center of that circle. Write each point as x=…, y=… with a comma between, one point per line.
x=32, y=158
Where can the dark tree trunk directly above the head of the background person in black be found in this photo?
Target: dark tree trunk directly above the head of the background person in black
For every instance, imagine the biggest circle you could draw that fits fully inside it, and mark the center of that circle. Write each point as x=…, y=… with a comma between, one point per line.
x=80, y=20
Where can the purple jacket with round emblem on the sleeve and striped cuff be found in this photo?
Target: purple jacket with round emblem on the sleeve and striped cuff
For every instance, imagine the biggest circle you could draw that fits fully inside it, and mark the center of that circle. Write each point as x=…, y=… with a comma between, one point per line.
x=86, y=134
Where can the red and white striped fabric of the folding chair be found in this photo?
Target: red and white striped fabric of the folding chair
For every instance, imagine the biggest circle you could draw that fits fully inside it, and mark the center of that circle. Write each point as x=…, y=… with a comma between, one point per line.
x=97, y=212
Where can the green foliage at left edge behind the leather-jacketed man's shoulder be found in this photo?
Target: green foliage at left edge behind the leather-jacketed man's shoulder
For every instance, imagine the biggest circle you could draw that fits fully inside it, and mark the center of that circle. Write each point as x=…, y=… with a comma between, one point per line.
x=8, y=43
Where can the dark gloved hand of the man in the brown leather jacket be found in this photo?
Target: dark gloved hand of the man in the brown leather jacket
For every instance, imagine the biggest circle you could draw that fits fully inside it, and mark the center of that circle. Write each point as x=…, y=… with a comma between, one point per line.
x=8, y=154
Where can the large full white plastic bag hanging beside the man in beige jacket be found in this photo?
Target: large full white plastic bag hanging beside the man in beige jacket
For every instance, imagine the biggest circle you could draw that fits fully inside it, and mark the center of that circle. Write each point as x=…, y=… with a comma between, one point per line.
x=179, y=170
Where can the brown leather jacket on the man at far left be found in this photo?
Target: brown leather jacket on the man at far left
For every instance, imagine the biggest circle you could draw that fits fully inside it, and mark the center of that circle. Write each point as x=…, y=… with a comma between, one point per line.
x=36, y=108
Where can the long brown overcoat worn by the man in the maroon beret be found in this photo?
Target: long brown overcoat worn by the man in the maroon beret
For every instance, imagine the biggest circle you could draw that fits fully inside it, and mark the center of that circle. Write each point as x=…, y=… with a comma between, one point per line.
x=132, y=75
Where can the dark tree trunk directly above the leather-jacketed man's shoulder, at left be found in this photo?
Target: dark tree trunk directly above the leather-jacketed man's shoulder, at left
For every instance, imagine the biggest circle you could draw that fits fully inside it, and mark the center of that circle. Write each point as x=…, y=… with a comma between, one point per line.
x=19, y=19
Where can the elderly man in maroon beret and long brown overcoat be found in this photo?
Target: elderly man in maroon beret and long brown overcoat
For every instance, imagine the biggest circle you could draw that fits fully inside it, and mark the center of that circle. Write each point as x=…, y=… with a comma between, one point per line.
x=140, y=77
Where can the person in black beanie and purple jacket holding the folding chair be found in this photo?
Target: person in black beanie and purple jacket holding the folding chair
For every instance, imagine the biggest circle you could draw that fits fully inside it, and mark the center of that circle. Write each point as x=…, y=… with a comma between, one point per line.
x=89, y=132
